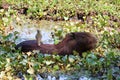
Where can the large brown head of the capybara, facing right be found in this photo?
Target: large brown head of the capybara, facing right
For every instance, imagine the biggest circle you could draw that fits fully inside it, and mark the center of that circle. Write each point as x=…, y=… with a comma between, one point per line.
x=78, y=41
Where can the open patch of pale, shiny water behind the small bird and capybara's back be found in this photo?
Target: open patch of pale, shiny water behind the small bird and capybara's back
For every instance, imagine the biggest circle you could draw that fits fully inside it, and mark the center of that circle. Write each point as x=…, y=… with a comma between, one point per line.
x=27, y=30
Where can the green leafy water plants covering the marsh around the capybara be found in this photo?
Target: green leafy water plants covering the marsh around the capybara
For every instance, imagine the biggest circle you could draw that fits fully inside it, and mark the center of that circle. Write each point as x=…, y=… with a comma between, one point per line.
x=100, y=17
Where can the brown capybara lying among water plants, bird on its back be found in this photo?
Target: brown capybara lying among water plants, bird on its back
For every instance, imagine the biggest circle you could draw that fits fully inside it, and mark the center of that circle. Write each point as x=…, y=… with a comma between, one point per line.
x=76, y=41
